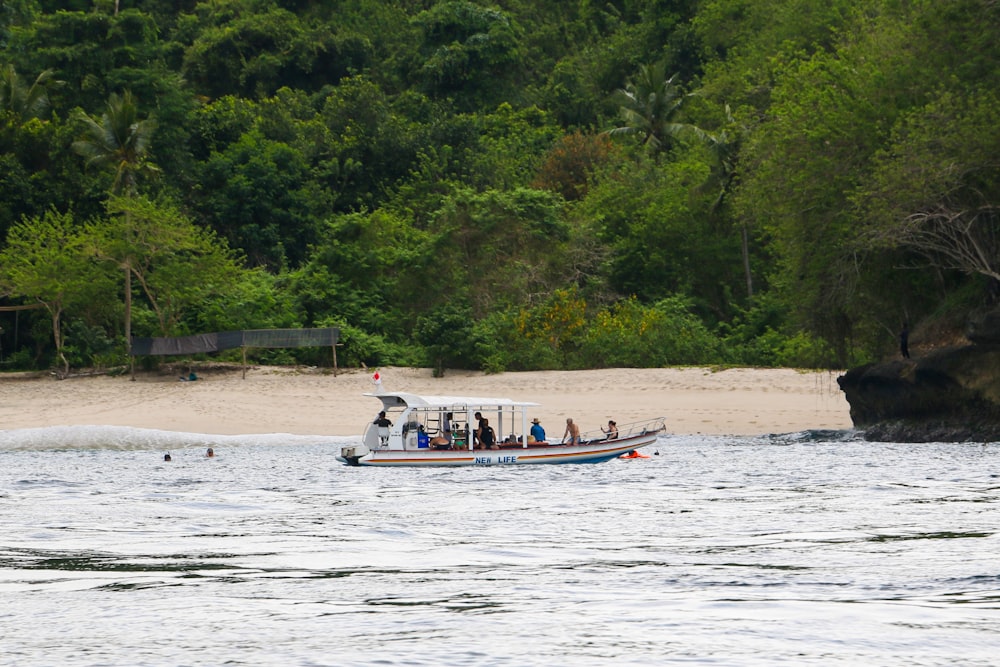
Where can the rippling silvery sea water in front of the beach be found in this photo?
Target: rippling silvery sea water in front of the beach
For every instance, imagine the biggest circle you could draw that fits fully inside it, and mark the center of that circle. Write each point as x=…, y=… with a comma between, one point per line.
x=810, y=548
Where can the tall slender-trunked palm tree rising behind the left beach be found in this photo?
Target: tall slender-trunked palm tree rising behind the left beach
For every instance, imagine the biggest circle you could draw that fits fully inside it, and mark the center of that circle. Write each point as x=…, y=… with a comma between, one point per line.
x=120, y=141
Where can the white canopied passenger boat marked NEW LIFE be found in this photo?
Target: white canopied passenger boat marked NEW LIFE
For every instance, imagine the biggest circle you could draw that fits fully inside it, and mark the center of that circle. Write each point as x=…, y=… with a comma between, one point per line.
x=439, y=431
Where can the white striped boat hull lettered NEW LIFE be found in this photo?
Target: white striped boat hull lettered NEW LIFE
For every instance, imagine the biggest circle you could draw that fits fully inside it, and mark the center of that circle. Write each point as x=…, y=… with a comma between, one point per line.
x=590, y=452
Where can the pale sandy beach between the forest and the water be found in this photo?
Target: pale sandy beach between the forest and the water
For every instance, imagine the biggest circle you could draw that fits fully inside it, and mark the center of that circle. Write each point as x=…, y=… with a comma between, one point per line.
x=738, y=401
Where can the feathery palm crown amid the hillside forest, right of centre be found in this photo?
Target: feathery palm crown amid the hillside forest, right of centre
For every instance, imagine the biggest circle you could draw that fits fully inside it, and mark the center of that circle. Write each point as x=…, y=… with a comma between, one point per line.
x=648, y=107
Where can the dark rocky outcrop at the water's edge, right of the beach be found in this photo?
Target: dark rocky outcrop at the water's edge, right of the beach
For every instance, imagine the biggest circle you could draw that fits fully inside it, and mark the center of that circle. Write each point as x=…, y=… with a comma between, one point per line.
x=950, y=395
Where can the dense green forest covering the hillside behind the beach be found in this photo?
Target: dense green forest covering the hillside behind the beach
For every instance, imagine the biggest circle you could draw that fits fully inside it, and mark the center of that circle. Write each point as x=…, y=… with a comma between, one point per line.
x=498, y=185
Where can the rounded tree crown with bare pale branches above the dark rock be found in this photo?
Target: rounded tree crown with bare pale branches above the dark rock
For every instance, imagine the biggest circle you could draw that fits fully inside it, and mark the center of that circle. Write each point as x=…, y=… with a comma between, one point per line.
x=935, y=190
